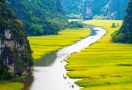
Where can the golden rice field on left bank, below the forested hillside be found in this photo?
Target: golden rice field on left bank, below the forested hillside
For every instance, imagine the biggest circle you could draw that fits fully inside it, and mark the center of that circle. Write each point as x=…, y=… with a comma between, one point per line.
x=42, y=45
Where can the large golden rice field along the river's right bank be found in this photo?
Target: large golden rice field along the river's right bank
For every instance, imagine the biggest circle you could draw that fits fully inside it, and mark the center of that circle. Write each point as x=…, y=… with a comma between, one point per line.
x=104, y=65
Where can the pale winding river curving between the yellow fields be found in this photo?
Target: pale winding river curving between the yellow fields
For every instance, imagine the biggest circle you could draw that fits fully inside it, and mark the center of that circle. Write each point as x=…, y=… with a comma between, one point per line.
x=50, y=73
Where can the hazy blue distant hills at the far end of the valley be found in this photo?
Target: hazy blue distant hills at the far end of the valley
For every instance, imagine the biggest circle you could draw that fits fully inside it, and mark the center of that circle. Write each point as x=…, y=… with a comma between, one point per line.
x=97, y=9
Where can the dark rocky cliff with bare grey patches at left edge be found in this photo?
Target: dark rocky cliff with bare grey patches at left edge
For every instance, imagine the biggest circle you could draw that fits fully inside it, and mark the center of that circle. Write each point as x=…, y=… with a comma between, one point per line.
x=15, y=51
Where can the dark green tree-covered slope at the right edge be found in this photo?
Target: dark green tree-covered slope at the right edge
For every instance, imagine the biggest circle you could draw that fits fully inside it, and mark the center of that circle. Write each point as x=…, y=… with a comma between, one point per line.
x=124, y=34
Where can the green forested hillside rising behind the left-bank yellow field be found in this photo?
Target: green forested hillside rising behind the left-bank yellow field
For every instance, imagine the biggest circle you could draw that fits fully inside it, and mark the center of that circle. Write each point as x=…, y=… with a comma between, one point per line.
x=39, y=17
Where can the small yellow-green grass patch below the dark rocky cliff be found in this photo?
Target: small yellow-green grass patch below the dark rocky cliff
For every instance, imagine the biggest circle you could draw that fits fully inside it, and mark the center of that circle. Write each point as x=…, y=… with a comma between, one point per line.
x=11, y=86
